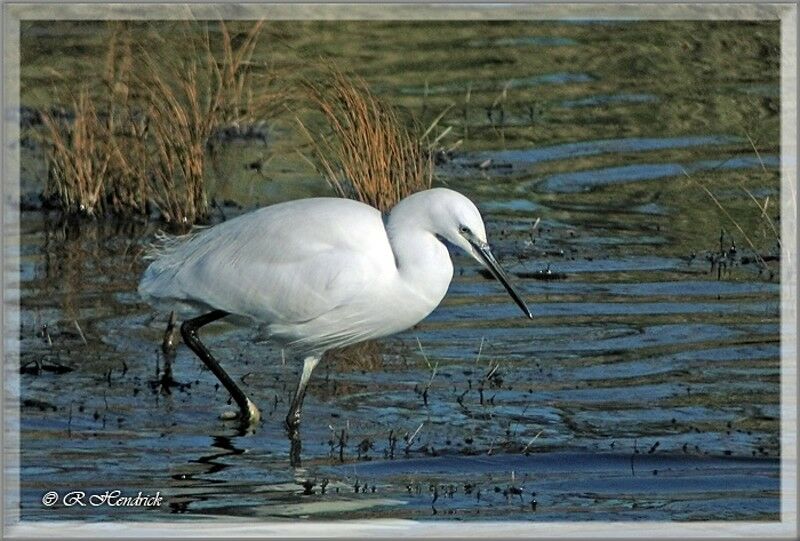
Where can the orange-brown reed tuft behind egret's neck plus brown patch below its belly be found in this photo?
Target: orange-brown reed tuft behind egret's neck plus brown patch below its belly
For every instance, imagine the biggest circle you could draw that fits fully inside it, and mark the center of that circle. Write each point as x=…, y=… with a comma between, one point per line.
x=368, y=155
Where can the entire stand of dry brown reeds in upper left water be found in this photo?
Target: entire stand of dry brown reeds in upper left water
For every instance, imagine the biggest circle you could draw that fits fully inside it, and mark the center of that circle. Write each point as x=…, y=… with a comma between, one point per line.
x=151, y=151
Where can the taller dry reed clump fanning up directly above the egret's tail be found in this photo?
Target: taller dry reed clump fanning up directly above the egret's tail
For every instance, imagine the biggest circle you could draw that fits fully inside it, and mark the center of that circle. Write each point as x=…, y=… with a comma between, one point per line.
x=209, y=91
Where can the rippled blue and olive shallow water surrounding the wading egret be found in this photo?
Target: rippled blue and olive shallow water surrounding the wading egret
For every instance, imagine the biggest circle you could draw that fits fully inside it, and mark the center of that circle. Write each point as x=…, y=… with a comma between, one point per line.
x=646, y=388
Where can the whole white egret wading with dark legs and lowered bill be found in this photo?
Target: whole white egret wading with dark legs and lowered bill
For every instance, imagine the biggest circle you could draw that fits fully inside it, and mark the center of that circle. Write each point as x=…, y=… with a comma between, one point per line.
x=319, y=273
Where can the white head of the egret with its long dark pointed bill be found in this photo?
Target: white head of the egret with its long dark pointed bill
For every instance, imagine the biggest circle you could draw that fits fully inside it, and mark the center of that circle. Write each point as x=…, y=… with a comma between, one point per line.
x=457, y=220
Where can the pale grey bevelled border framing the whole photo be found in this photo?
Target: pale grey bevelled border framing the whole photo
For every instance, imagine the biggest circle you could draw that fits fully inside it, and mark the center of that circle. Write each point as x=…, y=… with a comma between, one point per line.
x=786, y=528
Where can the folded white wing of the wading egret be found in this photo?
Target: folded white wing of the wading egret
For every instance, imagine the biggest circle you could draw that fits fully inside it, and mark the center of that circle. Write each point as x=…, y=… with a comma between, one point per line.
x=284, y=264
